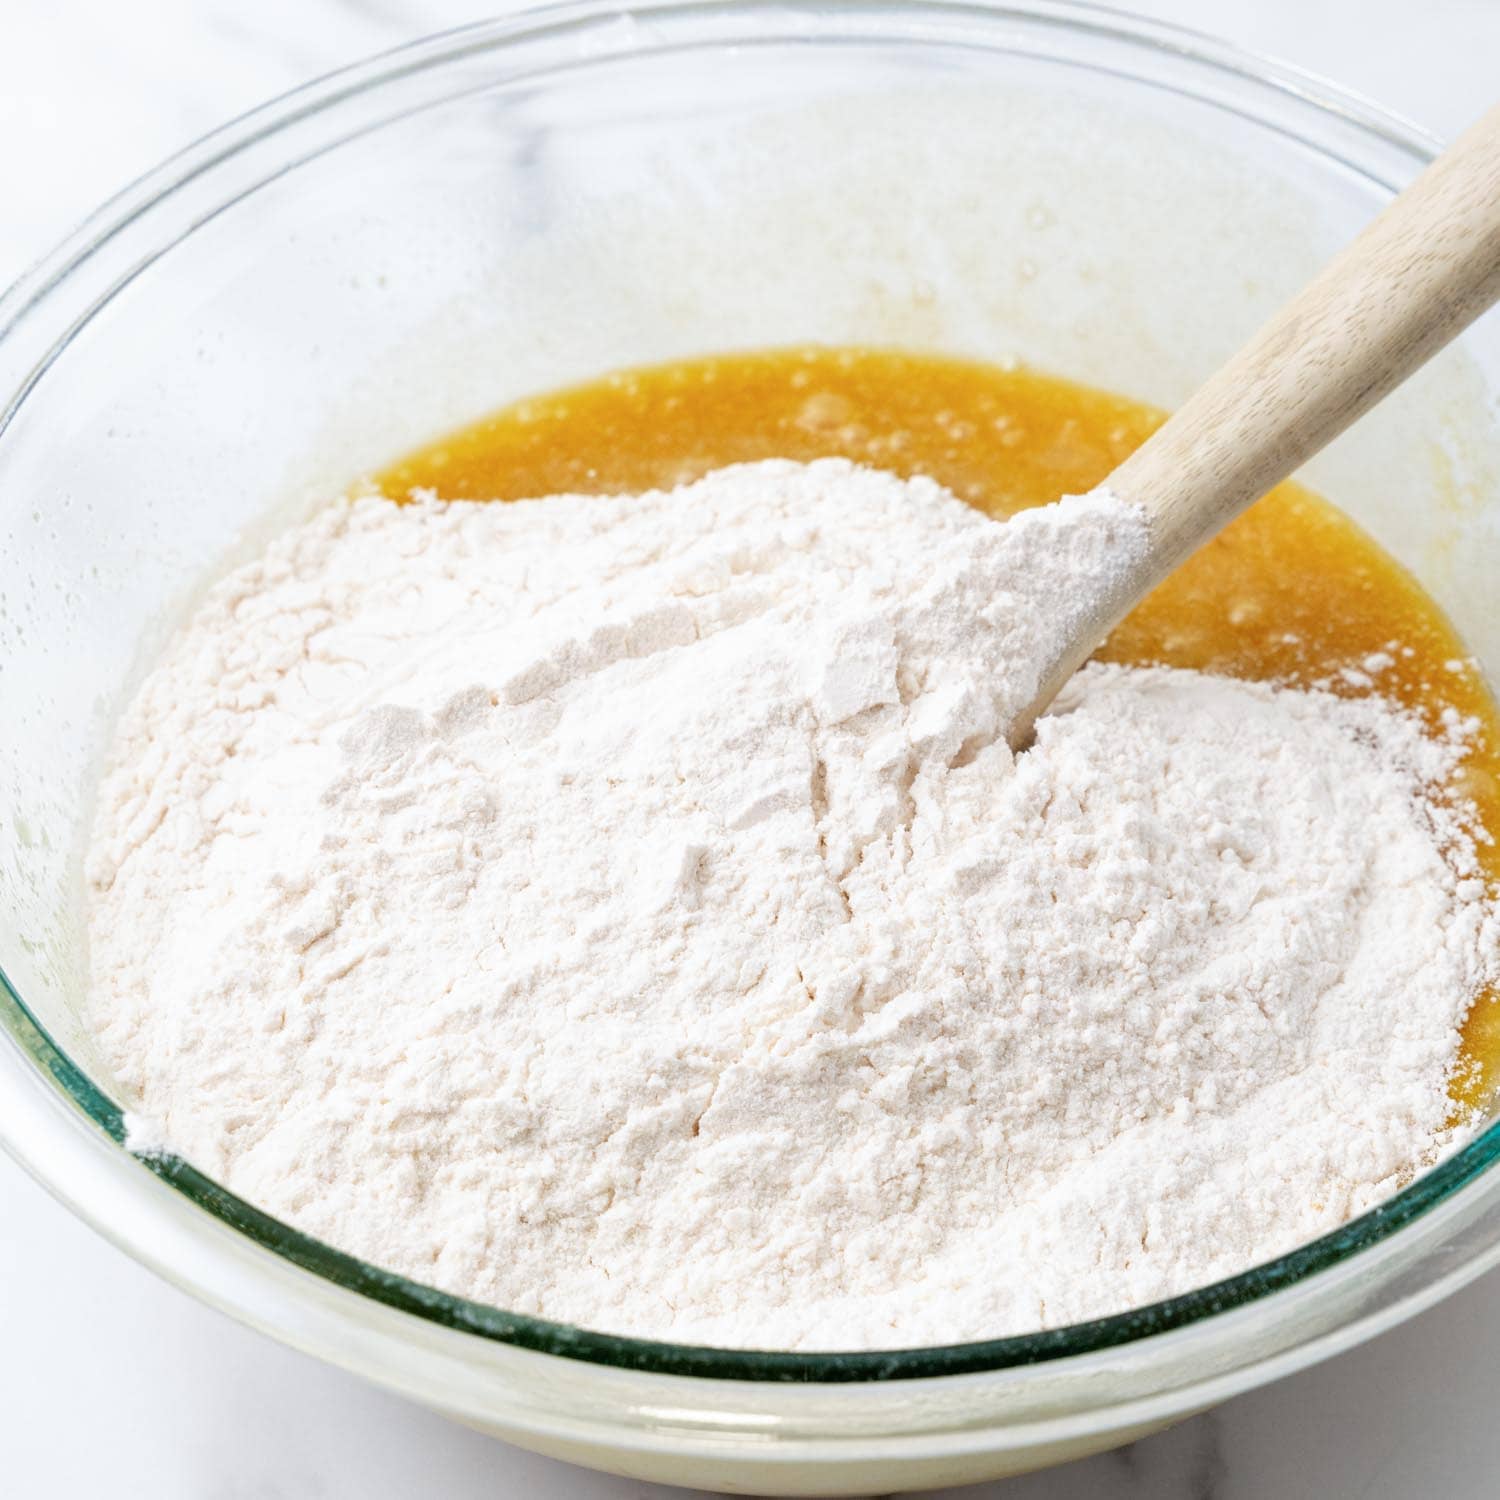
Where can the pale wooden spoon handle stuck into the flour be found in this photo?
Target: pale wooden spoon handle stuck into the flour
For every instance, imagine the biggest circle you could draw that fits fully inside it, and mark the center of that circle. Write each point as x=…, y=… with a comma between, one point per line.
x=1379, y=311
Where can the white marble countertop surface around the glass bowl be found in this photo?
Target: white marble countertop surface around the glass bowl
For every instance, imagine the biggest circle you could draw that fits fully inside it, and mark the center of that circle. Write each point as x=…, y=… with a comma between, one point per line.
x=115, y=1384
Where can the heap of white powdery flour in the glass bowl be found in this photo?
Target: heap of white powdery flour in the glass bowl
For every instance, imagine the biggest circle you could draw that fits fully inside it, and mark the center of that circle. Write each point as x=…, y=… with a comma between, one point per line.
x=628, y=911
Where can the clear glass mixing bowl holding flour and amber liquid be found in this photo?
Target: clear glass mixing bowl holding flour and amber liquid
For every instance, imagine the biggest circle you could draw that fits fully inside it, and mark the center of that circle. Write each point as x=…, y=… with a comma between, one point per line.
x=400, y=248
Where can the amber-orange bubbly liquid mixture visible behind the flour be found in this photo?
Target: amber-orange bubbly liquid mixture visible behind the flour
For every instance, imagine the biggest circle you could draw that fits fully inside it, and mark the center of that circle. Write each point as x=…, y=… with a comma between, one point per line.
x=1294, y=592
